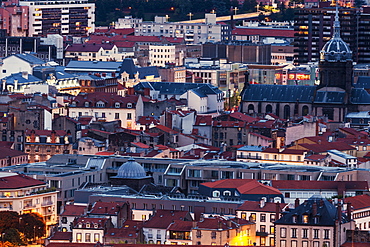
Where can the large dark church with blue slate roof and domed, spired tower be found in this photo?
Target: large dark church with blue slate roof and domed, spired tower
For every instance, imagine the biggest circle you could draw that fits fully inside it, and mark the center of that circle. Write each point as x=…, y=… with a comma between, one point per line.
x=334, y=97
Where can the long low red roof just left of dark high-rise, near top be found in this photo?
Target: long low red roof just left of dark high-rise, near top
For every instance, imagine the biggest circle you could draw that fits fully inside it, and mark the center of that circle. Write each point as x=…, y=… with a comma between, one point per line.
x=264, y=32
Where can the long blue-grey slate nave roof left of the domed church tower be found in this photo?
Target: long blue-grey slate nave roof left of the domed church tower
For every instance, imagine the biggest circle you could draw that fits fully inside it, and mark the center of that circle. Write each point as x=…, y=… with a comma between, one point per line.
x=279, y=93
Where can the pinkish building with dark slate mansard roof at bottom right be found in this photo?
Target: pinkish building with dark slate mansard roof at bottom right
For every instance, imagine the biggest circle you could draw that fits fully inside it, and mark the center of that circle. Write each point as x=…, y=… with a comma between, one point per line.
x=316, y=222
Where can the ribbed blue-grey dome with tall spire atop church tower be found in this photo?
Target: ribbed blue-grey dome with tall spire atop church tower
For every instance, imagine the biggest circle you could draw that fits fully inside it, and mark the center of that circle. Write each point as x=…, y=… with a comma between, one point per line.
x=336, y=49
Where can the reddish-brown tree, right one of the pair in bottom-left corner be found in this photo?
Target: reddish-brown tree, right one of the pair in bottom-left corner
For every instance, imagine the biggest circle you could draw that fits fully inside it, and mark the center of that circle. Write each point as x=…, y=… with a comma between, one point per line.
x=32, y=226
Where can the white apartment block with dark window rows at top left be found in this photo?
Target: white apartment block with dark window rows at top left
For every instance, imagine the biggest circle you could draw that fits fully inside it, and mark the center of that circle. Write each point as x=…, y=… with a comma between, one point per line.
x=75, y=18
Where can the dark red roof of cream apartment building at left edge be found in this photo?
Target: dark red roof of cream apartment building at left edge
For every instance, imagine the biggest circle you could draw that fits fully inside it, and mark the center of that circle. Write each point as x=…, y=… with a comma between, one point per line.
x=18, y=181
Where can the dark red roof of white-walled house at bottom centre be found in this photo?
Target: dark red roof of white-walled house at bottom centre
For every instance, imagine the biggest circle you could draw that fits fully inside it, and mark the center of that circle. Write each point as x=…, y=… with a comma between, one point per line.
x=163, y=218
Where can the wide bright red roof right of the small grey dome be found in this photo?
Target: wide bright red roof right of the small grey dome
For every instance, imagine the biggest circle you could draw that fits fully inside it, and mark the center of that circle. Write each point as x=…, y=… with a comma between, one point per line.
x=244, y=186
